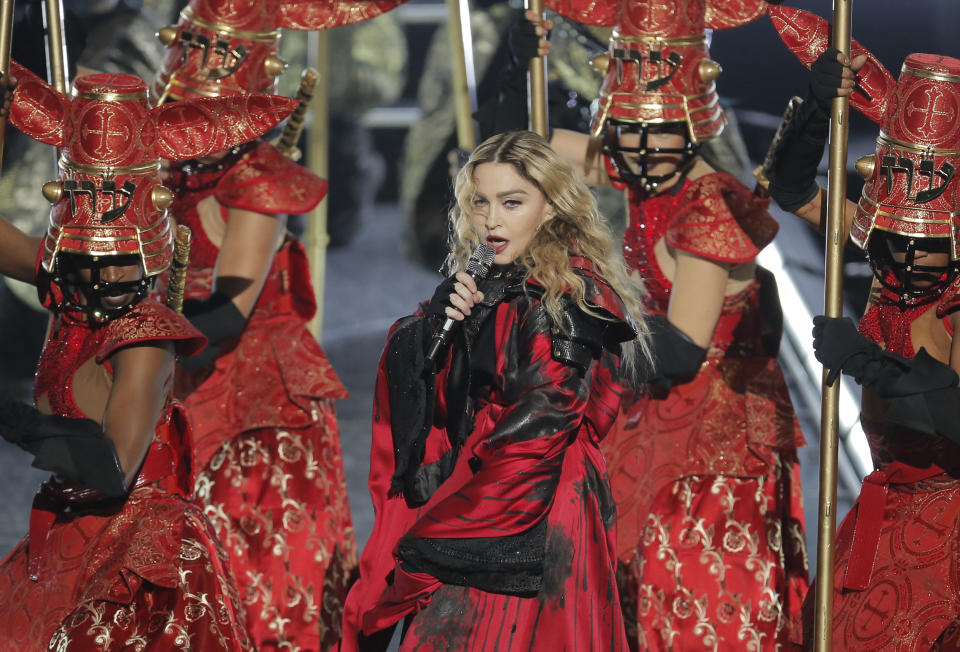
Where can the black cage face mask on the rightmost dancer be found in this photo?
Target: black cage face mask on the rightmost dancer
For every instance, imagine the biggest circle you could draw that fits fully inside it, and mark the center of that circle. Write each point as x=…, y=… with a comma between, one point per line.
x=902, y=278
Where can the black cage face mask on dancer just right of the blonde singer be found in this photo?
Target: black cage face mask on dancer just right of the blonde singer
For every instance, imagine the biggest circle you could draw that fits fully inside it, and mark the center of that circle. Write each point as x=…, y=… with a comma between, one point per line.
x=618, y=154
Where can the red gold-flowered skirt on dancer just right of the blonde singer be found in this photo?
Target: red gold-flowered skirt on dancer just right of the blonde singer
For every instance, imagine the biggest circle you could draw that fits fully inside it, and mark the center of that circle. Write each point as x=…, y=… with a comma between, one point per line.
x=721, y=565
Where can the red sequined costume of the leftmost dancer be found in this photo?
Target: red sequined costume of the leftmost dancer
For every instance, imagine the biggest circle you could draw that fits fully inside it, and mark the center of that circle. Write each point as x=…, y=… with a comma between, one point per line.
x=146, y=573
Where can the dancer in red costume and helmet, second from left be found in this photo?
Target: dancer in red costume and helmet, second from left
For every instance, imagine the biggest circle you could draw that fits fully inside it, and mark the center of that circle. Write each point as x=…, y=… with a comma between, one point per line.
x=260, y=396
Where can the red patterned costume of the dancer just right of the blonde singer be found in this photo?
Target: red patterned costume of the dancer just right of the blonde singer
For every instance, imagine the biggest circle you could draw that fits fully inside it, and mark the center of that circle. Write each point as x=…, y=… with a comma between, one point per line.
x=709, y=508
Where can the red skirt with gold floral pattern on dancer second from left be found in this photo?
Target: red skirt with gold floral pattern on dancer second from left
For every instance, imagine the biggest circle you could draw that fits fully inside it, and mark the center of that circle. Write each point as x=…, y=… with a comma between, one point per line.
x=277, y=498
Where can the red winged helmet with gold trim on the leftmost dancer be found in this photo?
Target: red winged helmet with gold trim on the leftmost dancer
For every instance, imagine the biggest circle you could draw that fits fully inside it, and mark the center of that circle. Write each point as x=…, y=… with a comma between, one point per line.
x=108, y=200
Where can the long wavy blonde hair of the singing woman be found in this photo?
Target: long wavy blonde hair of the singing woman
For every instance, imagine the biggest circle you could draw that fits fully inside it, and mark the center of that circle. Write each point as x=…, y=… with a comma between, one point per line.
x=576, y=223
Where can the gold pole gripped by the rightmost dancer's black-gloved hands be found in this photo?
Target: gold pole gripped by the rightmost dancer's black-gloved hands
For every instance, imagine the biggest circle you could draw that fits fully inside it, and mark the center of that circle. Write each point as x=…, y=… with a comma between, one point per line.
x=833, y=307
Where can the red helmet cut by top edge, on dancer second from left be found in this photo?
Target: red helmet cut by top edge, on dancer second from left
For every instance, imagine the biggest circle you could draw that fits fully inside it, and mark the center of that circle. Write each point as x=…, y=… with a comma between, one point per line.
x=224, y=47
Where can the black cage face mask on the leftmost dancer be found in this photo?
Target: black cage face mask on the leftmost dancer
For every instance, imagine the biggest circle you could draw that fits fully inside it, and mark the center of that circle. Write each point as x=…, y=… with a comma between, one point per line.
x=66, y=276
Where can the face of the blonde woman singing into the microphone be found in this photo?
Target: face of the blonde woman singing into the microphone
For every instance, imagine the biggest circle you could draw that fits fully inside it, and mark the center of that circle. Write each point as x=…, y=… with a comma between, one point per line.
x=506, y=210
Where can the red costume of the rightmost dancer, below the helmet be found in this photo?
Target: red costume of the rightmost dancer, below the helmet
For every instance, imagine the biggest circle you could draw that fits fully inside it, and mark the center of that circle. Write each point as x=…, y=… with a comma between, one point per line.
x=897, y=559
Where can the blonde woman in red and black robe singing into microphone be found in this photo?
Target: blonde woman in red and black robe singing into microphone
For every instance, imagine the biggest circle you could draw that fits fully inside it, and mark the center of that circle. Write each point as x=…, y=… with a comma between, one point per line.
x=494, y=523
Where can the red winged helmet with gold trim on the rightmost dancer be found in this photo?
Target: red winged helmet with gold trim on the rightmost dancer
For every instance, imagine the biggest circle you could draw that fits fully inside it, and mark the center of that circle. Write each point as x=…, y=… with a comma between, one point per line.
x=911, y=186
